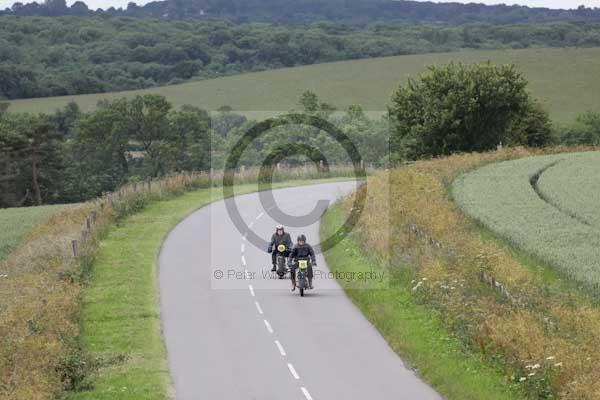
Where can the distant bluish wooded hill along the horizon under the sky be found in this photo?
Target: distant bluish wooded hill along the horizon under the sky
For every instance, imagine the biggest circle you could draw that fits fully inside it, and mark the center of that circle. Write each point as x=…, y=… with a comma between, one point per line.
x=358, y=12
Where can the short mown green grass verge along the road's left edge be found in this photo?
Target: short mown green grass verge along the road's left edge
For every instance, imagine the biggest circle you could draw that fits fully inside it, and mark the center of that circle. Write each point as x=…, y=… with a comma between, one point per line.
x=121, y=325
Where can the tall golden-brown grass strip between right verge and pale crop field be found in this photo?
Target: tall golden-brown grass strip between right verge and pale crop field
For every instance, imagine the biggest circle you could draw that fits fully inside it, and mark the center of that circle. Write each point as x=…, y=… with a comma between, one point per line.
x=511, y=308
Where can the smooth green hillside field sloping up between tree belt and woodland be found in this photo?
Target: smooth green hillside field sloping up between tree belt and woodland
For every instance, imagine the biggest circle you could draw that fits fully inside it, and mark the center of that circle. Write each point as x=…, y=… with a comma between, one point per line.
x=565, y=79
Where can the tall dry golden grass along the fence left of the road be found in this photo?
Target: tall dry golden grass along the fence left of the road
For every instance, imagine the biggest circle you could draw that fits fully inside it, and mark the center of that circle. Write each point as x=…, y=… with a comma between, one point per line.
x=42, y=280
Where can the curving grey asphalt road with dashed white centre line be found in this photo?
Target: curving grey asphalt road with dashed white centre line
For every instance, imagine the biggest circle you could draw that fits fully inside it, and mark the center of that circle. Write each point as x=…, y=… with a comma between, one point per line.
x=232, y=332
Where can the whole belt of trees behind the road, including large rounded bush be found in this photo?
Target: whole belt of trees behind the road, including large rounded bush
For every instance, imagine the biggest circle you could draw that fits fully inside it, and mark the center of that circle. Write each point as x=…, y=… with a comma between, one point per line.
x=72, y=156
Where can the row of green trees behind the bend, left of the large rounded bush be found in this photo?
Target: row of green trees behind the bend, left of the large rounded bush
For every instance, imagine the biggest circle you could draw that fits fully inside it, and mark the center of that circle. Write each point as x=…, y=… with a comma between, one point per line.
x=72, y=156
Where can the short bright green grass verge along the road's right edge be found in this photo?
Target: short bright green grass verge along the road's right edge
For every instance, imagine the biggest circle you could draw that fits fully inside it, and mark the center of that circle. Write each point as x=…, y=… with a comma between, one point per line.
x=416, y=332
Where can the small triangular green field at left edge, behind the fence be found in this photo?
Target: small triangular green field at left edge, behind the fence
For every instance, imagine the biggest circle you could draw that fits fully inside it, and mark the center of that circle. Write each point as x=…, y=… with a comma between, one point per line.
x=17, y=222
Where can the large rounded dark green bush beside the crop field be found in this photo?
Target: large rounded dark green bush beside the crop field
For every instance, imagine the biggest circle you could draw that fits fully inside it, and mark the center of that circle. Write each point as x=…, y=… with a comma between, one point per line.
x=459, y=107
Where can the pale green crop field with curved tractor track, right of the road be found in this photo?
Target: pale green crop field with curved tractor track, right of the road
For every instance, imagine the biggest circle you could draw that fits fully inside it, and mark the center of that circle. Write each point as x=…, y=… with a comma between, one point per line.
x=554, y=217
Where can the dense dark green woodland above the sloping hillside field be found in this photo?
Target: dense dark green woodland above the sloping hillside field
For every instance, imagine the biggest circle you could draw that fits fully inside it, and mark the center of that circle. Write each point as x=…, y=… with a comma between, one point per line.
x=54, y=56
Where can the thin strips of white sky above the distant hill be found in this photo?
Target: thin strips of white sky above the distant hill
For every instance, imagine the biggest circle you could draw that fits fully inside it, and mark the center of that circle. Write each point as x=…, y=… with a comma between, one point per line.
x=94, y=4
